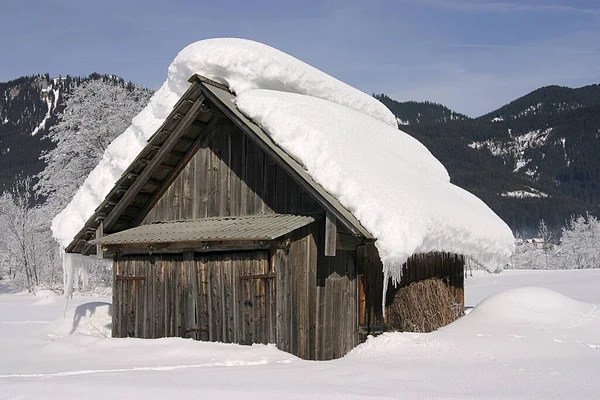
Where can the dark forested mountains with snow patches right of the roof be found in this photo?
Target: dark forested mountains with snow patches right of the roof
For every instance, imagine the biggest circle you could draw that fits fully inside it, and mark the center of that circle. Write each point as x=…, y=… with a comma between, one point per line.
x=537, y=157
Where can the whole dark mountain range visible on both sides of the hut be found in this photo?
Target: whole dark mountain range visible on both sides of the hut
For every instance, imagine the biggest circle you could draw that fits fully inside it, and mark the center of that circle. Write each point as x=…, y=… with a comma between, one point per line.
x=535, y=158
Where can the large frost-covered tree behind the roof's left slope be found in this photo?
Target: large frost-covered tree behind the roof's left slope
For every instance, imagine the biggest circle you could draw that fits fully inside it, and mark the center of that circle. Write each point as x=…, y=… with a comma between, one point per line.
x=96, y=112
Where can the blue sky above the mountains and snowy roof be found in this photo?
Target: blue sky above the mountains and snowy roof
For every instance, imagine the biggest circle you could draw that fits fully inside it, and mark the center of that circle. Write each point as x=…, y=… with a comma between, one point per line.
x=470, y=55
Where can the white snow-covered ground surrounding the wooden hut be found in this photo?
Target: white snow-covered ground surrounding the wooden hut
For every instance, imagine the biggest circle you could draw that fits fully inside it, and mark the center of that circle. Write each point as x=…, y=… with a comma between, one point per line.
x=521, y=343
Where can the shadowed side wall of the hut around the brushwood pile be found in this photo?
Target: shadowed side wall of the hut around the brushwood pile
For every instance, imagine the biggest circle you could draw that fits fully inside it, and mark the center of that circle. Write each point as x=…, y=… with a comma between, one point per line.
x=445, y=266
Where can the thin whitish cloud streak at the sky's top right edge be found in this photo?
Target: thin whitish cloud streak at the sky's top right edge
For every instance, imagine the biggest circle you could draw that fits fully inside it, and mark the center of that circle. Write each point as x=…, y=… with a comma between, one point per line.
x=503, y=7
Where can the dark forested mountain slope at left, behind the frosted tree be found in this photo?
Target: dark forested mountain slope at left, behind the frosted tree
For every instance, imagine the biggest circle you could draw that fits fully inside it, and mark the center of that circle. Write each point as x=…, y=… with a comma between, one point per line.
x=29, y=107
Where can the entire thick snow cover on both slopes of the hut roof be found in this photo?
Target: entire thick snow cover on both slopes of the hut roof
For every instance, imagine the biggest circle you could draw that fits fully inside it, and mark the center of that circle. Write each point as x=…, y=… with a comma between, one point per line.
x=347, y=141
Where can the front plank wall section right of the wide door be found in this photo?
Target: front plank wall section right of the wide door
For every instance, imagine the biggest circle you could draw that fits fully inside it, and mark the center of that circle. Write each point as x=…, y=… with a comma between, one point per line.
x=318, y=294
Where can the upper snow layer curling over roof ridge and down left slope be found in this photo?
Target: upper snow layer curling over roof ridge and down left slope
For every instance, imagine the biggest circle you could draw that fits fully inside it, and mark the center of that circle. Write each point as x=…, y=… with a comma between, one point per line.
x=243, y=65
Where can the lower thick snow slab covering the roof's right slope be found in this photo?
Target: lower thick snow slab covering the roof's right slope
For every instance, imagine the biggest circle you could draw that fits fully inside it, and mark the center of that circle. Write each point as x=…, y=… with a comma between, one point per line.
x=386, y=178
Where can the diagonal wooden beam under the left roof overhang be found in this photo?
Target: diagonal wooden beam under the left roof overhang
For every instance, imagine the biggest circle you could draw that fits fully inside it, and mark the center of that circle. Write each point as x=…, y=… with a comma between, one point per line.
x=166, y=148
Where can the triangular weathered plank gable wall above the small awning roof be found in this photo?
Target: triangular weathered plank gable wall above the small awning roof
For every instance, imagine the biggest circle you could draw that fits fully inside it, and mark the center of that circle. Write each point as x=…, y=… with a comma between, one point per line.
x=230, y=175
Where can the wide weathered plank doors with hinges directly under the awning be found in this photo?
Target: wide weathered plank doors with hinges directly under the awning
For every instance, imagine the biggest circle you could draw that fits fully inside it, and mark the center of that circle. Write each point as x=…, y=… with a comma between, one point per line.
x=216, y=297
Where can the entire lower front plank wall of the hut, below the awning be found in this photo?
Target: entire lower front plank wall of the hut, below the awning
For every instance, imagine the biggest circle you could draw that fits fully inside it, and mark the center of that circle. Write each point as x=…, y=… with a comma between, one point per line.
x=292, y=295
